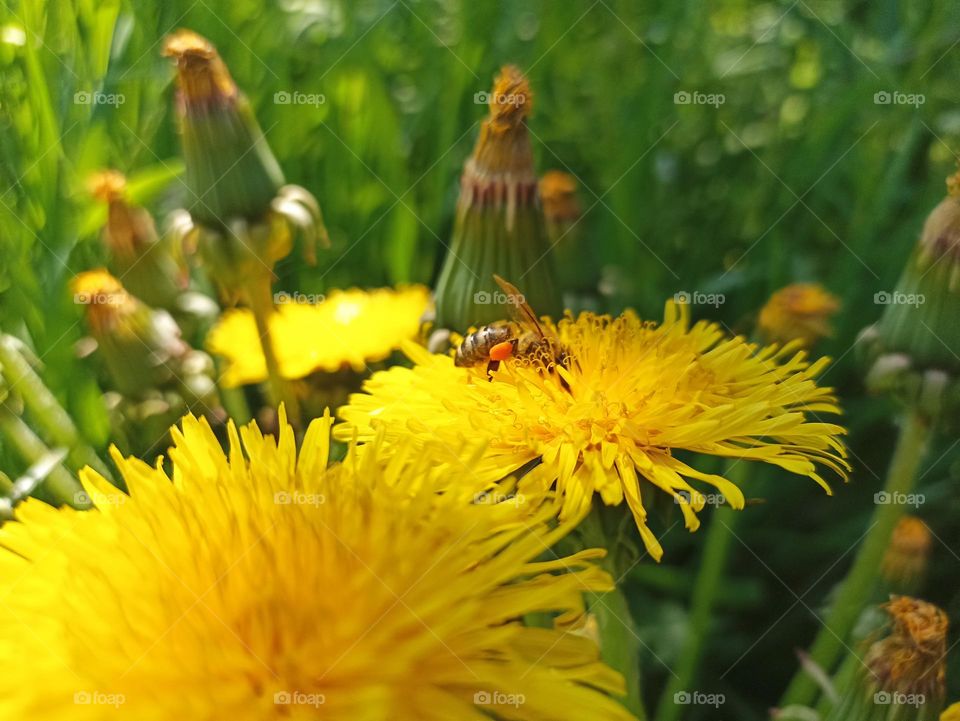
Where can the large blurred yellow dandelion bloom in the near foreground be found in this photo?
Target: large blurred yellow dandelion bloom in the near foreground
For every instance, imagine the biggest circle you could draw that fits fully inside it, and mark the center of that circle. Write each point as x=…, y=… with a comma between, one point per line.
x=259, y=585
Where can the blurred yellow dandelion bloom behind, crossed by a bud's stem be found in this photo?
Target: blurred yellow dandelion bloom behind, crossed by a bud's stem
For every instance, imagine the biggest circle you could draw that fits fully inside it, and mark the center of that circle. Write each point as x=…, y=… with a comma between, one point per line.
x=349, y=328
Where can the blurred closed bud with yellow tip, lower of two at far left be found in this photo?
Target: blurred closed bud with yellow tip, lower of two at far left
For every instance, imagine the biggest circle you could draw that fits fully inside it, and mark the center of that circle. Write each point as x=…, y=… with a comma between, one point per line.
x=138, y=344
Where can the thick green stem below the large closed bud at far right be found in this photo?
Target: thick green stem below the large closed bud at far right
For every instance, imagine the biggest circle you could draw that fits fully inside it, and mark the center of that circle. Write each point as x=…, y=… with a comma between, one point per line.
x=855, y=591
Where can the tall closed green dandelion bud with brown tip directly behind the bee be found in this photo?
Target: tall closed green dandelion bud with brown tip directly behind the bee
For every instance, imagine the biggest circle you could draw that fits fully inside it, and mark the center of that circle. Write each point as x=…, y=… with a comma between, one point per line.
x=499, y=226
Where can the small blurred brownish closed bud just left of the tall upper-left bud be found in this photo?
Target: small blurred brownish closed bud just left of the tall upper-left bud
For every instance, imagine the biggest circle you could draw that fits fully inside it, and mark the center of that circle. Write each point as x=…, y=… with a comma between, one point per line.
x=137, y=254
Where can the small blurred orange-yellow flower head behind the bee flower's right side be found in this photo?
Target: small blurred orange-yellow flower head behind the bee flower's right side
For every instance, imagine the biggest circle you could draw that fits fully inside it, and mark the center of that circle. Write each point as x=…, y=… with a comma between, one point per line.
x=801, y=311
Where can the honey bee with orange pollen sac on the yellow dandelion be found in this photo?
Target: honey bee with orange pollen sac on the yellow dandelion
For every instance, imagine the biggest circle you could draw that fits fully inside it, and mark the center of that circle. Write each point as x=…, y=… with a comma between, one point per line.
x=520, y=337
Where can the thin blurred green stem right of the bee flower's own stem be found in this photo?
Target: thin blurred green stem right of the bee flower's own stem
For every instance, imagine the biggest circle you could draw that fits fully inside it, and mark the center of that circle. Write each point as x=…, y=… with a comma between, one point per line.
x=716, y=553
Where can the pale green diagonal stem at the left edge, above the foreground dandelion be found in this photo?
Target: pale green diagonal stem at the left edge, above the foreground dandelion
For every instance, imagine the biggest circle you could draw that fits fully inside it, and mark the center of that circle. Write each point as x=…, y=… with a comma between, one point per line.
x=45, y=410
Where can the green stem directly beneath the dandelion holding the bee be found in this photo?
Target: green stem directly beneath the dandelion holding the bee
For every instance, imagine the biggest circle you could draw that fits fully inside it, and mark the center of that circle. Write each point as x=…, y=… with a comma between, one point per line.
x=619, y=640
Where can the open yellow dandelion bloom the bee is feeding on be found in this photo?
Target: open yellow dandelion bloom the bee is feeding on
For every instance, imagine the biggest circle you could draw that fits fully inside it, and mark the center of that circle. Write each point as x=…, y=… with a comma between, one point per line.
x=634, y=393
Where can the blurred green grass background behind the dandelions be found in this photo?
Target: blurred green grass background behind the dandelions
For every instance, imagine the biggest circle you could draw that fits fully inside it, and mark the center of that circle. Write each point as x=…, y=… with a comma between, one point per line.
x=800, y=174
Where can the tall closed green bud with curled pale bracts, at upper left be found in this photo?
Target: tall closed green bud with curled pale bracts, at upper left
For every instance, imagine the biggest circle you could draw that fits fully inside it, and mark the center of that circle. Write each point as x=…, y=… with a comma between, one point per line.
x=239, y=210
